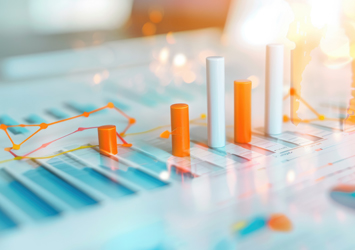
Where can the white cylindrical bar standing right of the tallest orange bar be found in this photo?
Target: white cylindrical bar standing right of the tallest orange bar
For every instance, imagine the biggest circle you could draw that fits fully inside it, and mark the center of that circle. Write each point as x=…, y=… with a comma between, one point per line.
x=273, y=88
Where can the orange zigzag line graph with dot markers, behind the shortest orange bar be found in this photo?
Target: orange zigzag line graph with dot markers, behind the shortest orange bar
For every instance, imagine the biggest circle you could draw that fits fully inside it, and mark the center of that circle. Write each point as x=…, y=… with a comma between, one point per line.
x=43, y=126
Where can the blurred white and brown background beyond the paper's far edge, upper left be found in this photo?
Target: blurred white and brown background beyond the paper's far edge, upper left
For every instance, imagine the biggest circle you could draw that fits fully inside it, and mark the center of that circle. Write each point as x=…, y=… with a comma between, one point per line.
x=33, y=26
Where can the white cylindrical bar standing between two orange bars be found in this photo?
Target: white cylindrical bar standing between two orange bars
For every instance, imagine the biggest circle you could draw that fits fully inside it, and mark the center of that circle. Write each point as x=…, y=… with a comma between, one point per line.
x=216, y=124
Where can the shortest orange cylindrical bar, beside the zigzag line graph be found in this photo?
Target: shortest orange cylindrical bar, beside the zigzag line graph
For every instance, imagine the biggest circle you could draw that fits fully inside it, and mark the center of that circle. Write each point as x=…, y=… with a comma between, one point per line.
x=107, y=139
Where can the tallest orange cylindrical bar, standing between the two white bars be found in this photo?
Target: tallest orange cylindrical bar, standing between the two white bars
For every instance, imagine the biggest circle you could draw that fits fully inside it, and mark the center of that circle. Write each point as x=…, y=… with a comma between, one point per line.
x=242, y=111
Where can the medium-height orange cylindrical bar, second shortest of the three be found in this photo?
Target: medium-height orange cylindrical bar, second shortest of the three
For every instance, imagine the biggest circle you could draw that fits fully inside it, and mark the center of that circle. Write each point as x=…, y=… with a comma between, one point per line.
x=180, y=129
